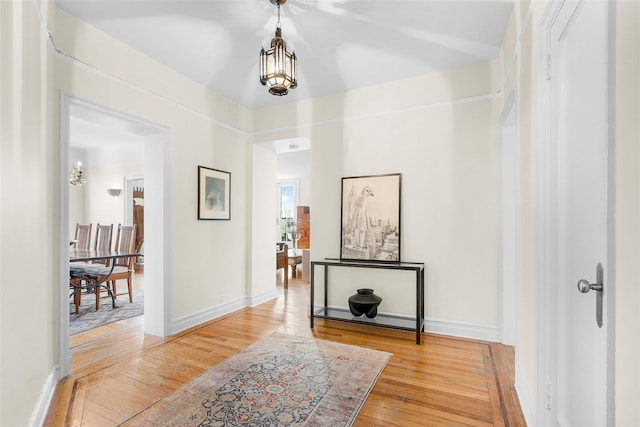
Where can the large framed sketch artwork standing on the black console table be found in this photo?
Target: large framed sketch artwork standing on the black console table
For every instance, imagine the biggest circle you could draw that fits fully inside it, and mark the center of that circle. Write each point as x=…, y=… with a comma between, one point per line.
x=370, y=220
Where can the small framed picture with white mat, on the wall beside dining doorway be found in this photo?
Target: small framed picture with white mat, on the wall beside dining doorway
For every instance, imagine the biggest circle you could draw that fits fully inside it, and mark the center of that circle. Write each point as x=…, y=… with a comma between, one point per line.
x=214, y=194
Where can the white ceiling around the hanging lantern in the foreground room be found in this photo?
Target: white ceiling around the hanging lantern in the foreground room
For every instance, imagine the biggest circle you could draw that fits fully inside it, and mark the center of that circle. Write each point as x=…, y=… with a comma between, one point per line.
x=340, y=44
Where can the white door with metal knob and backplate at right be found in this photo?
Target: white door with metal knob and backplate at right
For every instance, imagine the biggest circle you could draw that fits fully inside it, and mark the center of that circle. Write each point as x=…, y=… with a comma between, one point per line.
x=580, y=105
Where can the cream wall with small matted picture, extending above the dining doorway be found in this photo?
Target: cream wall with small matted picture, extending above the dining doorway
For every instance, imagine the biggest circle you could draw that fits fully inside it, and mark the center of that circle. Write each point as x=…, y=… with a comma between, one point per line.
x=203, y=132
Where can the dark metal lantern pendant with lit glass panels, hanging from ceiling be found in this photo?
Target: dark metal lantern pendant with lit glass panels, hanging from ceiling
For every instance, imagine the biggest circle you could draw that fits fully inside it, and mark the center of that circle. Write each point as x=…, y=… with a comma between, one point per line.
x=277, y=65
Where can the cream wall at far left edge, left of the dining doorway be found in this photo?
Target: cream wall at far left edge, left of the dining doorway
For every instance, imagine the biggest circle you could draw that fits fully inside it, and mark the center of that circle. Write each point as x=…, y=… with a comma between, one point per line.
x=28, y=214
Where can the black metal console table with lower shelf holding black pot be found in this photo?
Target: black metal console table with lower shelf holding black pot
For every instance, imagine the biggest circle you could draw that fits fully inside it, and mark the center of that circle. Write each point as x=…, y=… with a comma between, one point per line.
x=398, y=322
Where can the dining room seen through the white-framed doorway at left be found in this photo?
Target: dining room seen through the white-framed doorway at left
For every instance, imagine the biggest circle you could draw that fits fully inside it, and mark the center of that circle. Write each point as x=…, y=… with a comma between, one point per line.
x=106, y=194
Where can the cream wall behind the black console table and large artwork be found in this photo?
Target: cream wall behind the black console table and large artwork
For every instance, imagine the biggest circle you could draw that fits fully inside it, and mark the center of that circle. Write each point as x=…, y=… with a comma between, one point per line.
x=439, y=131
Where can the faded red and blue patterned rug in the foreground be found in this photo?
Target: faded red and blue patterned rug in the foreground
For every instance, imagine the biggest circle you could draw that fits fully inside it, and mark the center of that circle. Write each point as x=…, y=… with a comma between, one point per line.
x=281, y=380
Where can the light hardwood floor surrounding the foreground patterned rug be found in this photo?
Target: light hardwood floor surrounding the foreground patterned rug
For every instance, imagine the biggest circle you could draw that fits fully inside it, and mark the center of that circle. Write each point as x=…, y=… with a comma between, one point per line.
x=117, y=370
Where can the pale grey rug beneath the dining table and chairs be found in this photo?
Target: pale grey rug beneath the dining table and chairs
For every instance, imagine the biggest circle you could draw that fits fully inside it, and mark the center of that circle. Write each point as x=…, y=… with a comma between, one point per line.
x=89, y=318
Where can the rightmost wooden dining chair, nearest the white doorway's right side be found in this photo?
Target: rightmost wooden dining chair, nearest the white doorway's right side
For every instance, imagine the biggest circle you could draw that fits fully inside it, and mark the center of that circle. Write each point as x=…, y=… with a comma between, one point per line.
x=123, y=268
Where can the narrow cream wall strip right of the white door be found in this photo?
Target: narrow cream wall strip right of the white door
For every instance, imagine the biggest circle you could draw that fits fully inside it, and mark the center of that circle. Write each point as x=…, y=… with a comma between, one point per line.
x=627, y=213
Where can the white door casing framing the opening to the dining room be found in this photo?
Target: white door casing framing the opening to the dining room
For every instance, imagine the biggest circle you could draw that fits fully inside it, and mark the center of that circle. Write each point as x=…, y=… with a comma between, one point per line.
x=154, y=147
